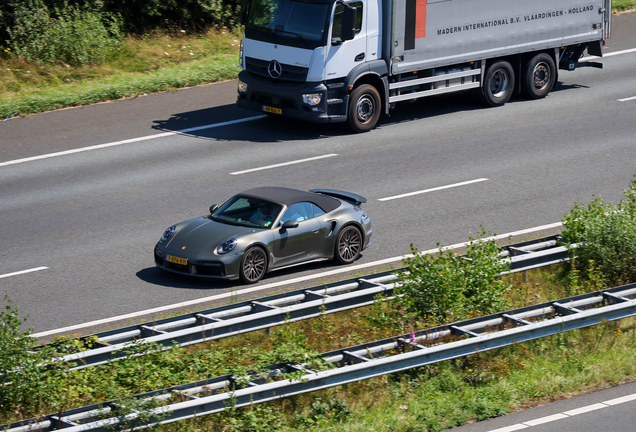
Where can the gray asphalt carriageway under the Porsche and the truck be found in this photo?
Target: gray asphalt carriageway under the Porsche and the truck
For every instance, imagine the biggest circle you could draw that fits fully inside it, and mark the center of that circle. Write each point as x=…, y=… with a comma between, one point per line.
x=93, y=217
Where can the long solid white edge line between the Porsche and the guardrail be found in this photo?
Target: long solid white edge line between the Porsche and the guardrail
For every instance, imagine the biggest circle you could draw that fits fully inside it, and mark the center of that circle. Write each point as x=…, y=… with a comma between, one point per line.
x=277, y=284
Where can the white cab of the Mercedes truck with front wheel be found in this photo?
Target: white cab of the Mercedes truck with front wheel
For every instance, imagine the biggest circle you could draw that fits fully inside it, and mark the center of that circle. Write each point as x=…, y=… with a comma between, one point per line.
x=300, y=58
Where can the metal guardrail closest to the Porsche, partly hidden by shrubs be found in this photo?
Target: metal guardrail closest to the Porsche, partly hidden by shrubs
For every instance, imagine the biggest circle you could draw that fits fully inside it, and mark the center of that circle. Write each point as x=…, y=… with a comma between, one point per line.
x=275, y=310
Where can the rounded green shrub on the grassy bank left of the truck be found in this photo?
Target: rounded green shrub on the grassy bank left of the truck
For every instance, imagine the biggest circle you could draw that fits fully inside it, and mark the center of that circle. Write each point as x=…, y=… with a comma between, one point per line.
x=70, y=34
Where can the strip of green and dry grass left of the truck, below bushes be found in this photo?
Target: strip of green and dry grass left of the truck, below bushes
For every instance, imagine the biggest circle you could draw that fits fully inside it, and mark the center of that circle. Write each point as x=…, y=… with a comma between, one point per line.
x=154, y=63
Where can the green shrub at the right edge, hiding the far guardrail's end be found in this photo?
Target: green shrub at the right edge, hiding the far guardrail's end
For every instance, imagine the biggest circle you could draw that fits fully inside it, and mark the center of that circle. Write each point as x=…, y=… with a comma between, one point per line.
x=606, y=235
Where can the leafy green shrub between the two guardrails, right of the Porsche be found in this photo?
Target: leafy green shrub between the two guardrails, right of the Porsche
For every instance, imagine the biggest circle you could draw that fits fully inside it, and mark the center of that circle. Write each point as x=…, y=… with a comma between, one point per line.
x=446, y=286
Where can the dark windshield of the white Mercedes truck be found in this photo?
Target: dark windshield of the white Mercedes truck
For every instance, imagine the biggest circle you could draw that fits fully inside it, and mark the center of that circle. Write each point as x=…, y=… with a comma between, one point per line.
x=288, y=22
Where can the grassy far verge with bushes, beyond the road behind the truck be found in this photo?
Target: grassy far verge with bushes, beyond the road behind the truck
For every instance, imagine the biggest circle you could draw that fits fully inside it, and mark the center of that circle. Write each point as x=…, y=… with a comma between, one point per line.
x=62, y=53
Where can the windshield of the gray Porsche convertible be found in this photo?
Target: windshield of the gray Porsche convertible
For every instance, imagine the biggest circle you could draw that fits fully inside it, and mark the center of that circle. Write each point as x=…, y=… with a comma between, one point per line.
x=248, y=212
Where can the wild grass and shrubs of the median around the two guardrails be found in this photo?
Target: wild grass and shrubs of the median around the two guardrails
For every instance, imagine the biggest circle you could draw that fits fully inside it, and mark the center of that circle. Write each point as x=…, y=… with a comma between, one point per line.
x=430, y=398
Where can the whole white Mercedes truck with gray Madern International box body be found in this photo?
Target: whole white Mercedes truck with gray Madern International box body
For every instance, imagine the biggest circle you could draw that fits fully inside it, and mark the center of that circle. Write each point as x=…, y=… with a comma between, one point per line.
x=333, y=61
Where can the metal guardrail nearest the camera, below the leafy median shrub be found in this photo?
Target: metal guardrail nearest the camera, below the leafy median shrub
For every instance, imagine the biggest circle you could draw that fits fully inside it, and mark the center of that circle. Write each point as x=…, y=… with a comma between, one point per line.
x=360, y=362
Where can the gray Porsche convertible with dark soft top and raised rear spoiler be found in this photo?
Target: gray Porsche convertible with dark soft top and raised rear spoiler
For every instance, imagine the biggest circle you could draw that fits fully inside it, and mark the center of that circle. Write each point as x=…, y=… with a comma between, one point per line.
x=265, y=229
